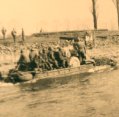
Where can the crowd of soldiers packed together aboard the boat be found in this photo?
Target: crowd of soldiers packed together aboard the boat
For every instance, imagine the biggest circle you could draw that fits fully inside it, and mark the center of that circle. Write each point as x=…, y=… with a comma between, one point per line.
x=55, y=56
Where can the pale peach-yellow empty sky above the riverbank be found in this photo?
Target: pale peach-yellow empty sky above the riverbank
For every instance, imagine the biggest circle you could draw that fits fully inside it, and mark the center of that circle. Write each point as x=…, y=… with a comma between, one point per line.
x=55, y=15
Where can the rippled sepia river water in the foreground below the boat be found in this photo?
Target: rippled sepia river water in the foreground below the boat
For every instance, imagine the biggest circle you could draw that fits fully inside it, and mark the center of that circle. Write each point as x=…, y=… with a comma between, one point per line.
x=91, y=95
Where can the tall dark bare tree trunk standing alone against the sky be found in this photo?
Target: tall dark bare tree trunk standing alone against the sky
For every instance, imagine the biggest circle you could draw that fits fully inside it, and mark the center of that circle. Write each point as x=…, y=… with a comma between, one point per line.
x=94, y=13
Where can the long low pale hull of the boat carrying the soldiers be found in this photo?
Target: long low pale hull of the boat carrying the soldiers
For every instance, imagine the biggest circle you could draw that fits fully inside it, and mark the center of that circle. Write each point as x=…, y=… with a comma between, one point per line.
x=29, y=76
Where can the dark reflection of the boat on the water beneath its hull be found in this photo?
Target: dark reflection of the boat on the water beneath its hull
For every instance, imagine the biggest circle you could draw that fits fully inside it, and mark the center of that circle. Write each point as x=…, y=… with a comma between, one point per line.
x=51, y=83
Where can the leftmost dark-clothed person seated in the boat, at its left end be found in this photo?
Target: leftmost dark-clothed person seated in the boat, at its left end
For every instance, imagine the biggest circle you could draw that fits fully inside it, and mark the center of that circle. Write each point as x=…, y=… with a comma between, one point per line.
x=23, y=63
